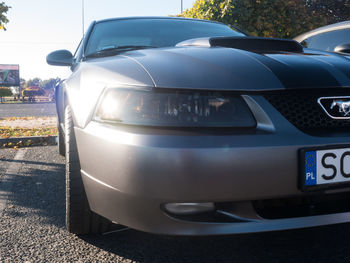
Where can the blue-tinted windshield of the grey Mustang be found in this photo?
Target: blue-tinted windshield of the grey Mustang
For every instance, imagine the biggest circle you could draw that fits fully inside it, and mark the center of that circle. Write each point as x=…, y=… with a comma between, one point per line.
x=152, y=32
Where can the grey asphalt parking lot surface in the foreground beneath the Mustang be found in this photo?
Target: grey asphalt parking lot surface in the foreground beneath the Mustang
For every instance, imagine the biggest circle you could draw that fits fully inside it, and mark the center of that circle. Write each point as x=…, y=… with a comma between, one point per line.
x=32, y=227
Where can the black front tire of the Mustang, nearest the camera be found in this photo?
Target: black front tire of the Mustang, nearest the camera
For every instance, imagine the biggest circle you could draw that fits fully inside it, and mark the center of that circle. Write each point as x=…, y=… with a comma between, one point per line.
x=79, y=218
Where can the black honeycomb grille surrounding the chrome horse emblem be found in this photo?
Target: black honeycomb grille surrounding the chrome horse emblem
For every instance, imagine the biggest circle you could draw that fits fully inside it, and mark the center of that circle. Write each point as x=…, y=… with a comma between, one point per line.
x=304, y=112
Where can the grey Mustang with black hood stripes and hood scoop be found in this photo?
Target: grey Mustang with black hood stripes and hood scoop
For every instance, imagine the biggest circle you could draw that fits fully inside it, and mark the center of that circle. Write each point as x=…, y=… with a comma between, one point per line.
x=190, y=127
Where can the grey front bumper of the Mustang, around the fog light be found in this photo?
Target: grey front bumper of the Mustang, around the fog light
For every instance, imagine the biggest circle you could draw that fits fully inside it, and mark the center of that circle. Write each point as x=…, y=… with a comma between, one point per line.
x=130, y=173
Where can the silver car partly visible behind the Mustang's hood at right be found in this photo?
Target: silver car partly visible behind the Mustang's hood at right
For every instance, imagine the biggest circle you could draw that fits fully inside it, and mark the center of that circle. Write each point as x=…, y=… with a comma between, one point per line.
x=335, y=37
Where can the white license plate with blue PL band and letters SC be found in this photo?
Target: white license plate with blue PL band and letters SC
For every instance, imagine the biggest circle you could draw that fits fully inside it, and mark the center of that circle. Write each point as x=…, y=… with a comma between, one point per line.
x=325, y=167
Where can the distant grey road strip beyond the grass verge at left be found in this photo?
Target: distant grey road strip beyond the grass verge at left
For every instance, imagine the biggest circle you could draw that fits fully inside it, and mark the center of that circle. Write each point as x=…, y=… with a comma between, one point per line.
x=27, y=109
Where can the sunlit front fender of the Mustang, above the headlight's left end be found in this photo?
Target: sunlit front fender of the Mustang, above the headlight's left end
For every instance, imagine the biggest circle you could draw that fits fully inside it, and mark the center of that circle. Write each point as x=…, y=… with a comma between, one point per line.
x=84, y=87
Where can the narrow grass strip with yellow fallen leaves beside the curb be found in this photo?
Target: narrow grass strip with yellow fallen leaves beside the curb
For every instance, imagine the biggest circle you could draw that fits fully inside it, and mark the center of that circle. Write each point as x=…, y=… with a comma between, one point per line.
x=9, y=132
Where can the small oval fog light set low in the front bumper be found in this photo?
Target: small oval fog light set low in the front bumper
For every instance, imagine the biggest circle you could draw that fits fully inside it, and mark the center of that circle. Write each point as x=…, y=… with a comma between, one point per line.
x=189, y=208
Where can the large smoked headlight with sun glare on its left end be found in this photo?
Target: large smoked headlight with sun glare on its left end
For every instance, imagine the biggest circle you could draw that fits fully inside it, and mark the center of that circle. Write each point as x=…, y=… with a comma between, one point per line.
x=173, y=109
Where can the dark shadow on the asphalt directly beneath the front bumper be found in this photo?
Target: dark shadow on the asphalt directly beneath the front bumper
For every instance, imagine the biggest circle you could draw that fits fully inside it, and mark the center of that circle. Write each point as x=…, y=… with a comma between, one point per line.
x=323, y=244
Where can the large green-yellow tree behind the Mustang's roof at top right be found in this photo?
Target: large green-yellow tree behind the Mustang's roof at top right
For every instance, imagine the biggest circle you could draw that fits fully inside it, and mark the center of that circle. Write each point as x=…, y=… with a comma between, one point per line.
x=272, y=18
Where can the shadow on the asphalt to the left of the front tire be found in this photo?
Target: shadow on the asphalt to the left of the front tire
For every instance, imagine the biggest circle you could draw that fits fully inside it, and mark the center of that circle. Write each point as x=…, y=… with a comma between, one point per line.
x=41, y=190
